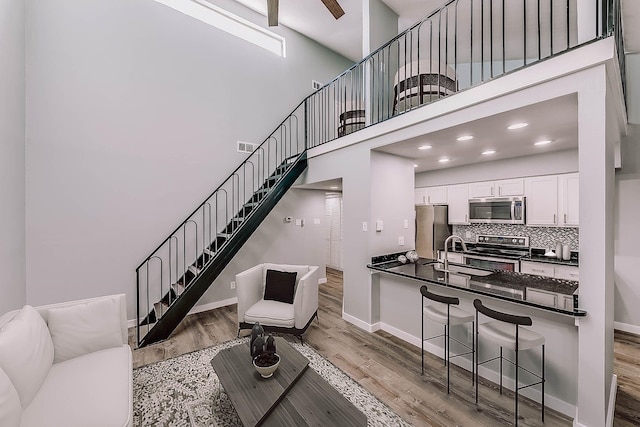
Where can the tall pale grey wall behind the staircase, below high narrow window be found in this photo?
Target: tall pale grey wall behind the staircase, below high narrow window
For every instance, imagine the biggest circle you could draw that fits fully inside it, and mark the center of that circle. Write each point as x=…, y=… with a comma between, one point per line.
x=133, y=113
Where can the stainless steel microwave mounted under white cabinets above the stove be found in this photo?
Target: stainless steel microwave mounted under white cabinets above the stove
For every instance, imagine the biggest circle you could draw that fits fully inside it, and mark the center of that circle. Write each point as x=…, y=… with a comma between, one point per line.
x=497, y=210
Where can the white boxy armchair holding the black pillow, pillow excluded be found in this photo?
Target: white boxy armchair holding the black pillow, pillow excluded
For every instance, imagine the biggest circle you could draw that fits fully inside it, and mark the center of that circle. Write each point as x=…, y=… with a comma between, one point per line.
x=275, y=315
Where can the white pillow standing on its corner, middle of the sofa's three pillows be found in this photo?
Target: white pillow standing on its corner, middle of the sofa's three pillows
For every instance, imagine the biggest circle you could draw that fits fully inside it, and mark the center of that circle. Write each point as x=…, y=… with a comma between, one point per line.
x=26, y=352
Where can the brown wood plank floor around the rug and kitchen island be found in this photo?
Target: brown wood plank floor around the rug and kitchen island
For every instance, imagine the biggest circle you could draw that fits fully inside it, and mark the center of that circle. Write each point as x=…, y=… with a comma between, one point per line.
x=389, y=368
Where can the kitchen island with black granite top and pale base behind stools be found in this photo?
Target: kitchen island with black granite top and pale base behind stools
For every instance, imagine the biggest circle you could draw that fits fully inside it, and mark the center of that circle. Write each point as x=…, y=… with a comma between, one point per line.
x=544, y=299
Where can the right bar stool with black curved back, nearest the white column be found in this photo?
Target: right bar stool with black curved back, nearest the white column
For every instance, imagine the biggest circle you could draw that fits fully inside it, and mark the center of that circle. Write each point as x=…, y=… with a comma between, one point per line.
x=508, y=331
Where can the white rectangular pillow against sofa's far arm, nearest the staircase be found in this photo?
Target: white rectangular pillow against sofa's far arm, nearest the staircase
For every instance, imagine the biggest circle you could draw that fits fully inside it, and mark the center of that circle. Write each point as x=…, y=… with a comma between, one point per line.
x=85, y=328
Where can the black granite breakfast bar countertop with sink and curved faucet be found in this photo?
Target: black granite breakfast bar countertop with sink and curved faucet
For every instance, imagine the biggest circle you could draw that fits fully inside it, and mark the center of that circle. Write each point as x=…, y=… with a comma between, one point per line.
x=506, y=285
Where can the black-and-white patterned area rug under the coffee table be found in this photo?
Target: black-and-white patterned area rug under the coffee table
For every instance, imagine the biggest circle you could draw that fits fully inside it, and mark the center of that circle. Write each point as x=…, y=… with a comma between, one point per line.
x=185, y=391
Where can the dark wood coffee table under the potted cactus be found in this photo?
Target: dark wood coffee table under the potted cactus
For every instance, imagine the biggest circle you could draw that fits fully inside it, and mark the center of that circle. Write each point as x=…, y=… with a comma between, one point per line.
x=293, y=396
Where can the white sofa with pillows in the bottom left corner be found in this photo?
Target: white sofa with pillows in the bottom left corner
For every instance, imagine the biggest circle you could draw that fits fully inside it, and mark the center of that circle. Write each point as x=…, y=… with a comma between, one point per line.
x=66, y=364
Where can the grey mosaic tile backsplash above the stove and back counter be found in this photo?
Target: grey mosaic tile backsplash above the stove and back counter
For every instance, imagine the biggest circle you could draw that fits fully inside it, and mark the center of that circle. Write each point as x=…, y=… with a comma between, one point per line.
x=539, y=237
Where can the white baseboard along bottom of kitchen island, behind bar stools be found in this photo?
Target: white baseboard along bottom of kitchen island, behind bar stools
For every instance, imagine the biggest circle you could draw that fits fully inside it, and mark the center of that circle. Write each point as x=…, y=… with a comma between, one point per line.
x=531, y=393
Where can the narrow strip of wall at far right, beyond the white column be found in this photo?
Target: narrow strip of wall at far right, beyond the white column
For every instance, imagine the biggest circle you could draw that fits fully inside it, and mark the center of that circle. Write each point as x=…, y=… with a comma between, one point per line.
x=627, y=226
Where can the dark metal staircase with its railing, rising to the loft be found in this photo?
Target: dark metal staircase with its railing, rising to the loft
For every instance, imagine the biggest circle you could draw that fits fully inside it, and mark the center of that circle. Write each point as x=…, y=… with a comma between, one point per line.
x=181, y=269
